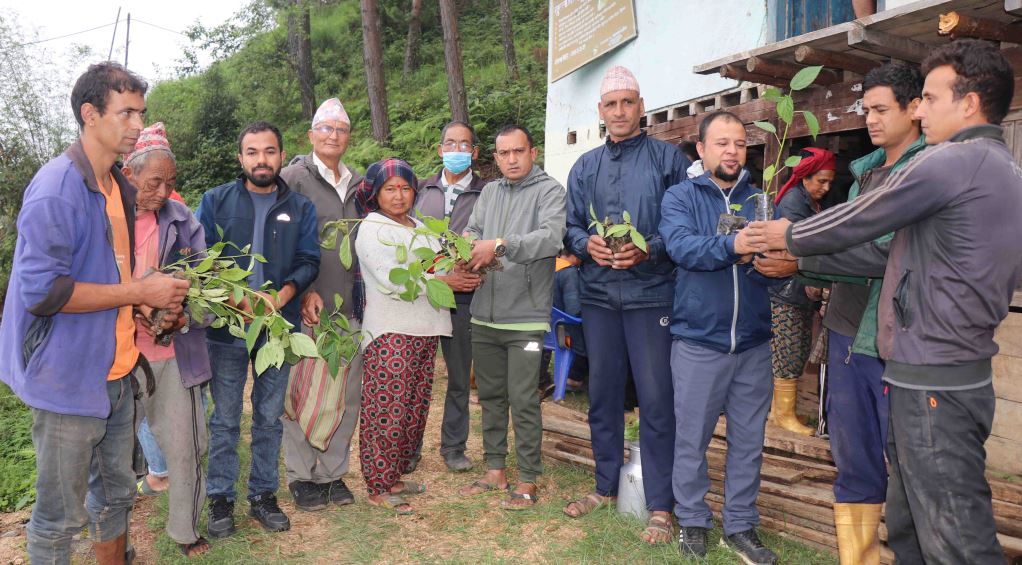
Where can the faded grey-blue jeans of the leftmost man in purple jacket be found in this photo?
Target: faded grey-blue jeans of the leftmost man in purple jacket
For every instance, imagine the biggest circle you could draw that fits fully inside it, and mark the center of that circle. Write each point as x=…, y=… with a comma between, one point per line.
x=85, y=476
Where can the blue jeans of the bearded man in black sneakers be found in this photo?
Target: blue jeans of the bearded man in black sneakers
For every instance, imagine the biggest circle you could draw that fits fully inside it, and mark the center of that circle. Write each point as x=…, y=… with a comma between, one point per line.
x=230, y=371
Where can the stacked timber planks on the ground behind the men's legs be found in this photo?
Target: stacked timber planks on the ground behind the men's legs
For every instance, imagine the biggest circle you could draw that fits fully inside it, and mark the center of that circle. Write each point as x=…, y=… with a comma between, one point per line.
x=796, y=493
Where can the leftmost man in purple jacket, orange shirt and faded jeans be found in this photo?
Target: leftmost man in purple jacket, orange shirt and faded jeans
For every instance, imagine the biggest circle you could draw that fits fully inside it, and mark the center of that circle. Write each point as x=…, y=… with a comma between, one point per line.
x=67, y=342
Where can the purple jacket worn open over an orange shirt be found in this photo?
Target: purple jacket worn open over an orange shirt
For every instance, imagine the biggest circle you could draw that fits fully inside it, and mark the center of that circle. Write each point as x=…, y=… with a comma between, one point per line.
x=57, y=361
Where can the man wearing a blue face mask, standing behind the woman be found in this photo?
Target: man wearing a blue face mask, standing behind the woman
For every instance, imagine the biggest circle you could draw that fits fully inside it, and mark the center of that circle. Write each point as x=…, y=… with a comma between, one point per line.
x=452, y=194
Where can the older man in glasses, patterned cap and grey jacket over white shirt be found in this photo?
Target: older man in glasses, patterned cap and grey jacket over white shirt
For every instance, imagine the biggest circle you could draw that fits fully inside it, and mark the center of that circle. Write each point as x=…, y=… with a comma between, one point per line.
x=314, y=477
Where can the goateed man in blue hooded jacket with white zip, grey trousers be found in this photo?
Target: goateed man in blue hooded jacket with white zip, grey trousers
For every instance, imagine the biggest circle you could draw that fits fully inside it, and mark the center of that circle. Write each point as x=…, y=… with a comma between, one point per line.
x=721, y=357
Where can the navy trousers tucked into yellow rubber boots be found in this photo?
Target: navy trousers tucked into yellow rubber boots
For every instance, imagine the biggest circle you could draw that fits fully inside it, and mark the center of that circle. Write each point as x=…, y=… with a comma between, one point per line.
x=857, y=416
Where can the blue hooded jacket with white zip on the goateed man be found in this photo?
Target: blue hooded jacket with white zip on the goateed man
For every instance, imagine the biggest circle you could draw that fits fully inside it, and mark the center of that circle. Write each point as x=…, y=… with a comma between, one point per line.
x=719, y=304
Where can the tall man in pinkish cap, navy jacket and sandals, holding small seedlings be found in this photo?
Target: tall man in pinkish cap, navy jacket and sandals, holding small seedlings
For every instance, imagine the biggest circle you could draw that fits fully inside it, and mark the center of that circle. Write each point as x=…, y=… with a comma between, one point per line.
x=627, y=296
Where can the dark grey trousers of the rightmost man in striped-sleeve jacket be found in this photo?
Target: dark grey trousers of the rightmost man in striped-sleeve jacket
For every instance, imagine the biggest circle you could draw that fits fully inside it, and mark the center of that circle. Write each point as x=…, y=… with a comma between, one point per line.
x=939, y=501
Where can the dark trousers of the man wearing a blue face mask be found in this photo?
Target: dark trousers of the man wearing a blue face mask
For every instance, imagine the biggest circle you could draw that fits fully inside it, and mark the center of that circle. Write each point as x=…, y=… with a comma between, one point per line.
x=458, y=358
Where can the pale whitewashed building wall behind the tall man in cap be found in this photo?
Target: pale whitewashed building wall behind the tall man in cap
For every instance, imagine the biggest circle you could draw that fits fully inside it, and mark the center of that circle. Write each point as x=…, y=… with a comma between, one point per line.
x=662, y=59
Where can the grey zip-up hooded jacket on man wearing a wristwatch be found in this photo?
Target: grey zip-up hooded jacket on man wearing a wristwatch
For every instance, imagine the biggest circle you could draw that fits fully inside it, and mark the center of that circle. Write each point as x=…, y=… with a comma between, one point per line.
x=529, y=215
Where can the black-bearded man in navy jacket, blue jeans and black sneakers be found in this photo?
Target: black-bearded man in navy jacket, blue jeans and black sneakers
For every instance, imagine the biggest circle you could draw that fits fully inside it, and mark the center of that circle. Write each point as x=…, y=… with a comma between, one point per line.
x=258, y=209
